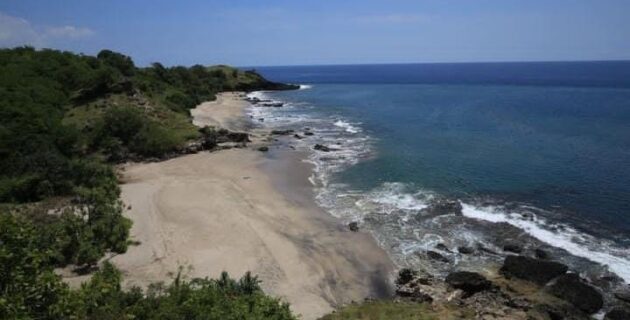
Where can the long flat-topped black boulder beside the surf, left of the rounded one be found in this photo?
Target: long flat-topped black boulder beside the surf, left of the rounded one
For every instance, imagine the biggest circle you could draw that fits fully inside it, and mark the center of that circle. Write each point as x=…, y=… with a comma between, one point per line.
x=531, y=269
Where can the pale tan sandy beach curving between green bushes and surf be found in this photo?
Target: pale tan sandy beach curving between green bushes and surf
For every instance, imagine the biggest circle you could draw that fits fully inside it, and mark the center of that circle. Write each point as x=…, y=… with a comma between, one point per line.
x=242, y=210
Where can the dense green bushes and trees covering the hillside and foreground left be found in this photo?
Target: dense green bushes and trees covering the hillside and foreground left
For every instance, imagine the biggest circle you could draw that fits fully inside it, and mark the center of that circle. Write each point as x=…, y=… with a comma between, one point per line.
x=64, y=119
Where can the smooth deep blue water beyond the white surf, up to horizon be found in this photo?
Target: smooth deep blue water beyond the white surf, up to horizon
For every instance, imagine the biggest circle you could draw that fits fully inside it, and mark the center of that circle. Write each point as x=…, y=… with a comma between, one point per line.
x=555, y=136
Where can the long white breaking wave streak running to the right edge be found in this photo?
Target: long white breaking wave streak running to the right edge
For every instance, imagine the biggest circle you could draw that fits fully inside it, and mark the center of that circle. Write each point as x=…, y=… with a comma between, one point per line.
x=567, y=238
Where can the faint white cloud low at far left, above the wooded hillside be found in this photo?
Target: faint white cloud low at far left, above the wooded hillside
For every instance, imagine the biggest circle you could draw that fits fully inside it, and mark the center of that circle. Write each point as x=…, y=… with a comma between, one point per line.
x=15, y=31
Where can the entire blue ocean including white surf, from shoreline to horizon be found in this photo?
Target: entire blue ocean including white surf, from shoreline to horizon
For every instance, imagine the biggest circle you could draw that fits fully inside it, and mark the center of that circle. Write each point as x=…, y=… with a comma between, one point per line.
x=538, y=153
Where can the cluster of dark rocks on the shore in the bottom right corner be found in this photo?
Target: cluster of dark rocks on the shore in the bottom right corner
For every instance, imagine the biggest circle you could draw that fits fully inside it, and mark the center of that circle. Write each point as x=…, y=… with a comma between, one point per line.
x=558, y=293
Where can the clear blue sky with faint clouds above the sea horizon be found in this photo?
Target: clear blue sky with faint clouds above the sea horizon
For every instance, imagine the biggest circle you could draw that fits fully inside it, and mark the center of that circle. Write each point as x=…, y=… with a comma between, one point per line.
x=303, y=32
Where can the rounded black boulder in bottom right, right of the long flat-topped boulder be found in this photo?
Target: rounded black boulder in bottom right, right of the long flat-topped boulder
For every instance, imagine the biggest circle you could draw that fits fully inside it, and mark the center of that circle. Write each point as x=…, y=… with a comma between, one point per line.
x=571, y=288
